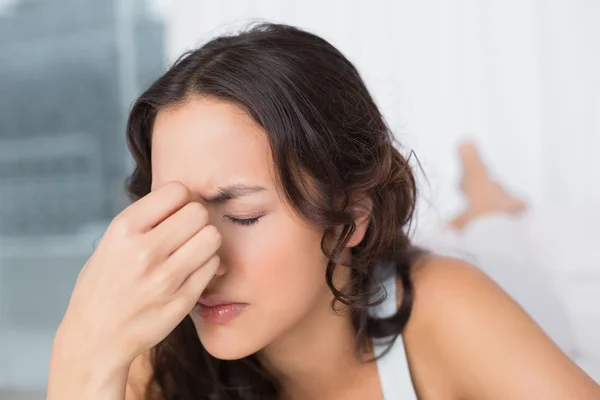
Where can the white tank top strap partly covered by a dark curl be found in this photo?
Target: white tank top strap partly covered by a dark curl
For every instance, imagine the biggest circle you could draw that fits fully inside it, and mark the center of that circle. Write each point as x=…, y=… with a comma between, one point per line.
x=394, y=374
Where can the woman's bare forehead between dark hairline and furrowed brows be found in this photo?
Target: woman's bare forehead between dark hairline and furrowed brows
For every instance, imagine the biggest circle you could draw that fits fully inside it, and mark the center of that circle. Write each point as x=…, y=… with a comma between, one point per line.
x=205, y=143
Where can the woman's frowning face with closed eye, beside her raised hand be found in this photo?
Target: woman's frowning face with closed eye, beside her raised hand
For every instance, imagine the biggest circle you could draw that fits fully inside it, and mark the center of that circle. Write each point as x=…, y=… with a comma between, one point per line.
x=271, y=261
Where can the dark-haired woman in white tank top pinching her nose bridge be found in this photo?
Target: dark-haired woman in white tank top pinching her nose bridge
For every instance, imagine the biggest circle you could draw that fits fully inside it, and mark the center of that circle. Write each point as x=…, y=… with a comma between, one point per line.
x=271, y=216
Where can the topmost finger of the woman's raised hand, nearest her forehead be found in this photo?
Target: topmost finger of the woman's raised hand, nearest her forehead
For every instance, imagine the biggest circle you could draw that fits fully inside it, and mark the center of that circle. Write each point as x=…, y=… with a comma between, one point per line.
x=156, y=206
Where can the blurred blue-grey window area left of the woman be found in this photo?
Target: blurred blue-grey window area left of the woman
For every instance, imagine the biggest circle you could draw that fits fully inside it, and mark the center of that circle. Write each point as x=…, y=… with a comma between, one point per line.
x=69, y=71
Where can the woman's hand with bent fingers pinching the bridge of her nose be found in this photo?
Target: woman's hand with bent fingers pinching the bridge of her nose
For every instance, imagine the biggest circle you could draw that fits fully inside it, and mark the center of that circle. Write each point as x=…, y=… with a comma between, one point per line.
x=146, y=275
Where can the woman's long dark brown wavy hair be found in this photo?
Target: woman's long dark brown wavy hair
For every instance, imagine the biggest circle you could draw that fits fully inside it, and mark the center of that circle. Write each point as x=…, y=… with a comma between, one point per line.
x=329, y=142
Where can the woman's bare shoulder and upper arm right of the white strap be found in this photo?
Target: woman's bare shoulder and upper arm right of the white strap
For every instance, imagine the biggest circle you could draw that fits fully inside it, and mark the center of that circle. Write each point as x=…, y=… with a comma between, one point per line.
x=482, y=341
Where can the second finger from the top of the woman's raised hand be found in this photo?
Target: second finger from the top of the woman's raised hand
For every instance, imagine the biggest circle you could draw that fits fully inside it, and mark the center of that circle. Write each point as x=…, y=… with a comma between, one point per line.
x=178, y=228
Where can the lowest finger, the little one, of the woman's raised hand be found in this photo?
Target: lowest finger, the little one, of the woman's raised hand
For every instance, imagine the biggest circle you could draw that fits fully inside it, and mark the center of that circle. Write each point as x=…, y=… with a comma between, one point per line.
x=191, y=289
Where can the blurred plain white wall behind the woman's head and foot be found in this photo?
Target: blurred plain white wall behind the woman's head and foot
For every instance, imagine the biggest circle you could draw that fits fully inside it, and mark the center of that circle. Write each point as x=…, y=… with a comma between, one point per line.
x=518, y=76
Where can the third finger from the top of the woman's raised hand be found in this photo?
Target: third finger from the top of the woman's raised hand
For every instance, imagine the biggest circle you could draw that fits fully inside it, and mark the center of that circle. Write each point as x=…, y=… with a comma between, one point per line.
x=193, y=254
